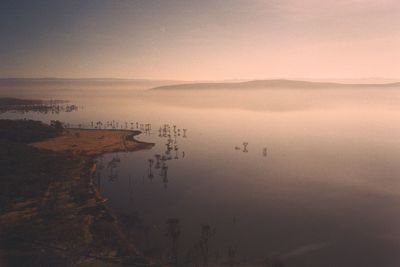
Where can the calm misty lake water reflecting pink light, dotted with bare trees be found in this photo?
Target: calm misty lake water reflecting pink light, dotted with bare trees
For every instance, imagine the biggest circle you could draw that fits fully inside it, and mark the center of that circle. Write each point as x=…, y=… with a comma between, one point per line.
x=317, y=185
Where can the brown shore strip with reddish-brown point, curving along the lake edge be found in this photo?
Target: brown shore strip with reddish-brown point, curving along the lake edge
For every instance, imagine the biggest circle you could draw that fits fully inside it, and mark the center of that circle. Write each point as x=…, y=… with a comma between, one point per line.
x=77, y=204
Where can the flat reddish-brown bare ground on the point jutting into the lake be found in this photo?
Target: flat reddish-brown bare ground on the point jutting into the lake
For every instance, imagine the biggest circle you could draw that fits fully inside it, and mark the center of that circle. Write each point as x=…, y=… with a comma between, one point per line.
x=93, y=142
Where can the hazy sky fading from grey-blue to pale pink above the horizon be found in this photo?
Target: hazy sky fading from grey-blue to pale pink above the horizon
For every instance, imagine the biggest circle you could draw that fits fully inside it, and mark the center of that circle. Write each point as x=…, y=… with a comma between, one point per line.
x=200, y=40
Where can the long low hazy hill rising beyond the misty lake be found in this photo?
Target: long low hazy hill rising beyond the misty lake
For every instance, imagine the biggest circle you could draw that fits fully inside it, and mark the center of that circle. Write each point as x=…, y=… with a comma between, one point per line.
x=269, y=84
